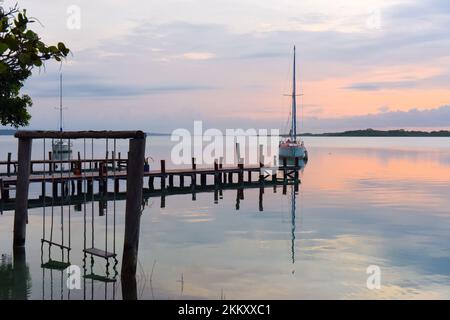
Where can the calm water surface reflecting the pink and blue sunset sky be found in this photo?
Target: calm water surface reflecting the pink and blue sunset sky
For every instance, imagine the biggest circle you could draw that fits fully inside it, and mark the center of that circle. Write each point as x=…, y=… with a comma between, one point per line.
x=362, y=201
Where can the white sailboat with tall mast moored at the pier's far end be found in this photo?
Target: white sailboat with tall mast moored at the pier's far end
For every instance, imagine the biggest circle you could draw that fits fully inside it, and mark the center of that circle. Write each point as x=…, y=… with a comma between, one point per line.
x=292, y=147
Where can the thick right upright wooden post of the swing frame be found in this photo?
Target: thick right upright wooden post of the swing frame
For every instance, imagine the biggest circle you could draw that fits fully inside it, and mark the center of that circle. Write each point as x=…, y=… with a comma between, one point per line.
x=135, y=177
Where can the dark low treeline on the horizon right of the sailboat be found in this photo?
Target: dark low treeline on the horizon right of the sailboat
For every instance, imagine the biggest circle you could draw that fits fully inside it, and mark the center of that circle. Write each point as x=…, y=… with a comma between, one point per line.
x=381, y=133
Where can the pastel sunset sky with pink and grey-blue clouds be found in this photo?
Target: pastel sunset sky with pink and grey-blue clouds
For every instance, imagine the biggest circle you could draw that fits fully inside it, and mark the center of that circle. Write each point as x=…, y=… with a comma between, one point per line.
x=160, y=65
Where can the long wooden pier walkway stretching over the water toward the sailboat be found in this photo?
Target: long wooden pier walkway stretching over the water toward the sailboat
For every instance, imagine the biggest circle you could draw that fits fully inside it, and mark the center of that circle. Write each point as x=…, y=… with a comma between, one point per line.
x=83, y=182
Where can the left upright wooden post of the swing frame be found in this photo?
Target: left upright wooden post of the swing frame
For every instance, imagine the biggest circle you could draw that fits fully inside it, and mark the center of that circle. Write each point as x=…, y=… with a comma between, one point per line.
x=23, y=178
